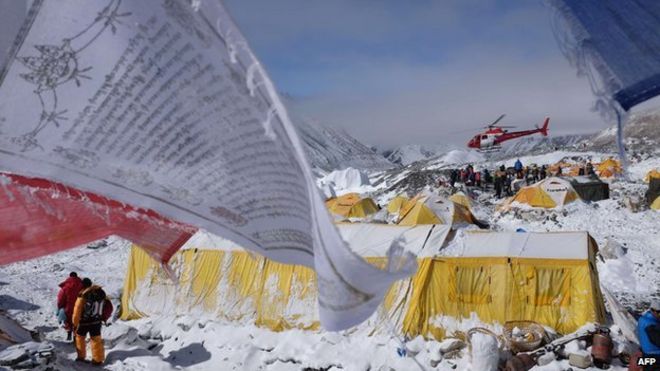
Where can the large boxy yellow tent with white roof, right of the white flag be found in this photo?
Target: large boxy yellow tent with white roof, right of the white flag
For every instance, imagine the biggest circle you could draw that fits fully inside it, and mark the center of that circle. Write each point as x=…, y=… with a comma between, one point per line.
x=550, y=278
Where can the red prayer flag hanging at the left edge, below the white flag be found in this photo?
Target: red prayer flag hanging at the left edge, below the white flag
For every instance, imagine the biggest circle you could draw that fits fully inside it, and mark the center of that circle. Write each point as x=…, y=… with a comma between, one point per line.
x=39, y=217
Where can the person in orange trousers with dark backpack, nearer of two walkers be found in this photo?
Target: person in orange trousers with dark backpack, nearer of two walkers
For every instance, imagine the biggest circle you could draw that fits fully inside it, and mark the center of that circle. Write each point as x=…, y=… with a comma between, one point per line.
x=91, y=310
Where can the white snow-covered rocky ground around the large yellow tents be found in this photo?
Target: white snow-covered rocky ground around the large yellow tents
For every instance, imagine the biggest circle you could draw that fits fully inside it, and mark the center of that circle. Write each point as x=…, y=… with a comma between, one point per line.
x=28, y=290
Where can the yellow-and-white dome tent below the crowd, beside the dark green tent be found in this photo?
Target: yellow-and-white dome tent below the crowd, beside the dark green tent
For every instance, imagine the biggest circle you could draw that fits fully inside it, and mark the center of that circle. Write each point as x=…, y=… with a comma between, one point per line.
x=548, y=193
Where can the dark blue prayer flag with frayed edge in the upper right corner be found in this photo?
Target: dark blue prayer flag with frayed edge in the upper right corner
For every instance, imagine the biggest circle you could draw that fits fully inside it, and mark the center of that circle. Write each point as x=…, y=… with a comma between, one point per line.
x=616, y=45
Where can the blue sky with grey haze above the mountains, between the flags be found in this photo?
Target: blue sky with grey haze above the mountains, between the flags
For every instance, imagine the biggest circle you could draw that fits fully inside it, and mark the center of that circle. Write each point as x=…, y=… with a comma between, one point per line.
x=394, y=72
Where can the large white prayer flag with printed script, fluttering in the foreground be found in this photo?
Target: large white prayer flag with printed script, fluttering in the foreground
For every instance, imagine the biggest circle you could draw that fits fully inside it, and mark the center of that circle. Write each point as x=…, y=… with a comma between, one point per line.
x=161, y=104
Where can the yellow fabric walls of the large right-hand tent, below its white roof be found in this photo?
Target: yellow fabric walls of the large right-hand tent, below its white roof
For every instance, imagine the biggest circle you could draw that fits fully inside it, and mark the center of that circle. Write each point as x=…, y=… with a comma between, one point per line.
x=562, y=294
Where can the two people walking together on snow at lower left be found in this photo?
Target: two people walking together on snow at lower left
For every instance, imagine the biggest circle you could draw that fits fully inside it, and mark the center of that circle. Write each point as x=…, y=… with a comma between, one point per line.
x=83, y=308
